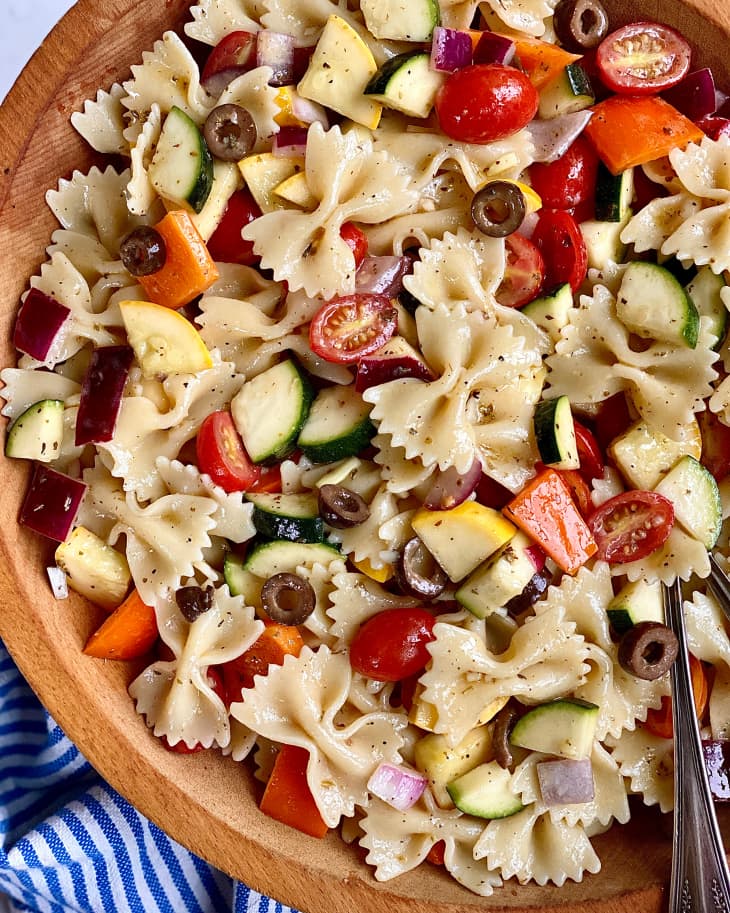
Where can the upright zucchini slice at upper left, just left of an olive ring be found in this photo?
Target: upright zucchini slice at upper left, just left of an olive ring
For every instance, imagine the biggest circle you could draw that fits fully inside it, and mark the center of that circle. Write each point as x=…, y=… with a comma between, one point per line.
x=181, y=169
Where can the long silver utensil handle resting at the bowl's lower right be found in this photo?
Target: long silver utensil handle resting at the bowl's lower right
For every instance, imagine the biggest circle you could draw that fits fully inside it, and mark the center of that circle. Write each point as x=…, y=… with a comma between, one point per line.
x=700, y=882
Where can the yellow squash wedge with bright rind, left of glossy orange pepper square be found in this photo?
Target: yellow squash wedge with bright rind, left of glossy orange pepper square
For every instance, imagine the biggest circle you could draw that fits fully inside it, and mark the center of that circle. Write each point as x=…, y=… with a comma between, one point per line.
x=461, y=538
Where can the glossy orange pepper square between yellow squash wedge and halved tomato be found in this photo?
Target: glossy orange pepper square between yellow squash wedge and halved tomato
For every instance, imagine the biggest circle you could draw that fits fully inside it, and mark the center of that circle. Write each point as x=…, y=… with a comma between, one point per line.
x=546, y=511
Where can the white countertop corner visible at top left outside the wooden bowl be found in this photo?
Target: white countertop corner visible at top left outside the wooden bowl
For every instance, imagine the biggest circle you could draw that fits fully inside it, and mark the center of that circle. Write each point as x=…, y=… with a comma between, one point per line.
x=25, y=23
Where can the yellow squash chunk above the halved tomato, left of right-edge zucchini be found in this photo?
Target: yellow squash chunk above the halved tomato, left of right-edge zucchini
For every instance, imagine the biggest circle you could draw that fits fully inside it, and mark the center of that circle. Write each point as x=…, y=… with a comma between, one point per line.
x=644, y=455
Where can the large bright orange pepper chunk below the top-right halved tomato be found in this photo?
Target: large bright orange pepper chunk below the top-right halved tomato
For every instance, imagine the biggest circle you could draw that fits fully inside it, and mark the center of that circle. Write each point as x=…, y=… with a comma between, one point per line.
x=628, y=130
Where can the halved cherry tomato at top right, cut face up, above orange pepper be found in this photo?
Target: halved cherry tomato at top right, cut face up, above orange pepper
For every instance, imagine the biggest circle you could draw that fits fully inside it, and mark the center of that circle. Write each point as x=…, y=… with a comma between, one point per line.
x=643, y=58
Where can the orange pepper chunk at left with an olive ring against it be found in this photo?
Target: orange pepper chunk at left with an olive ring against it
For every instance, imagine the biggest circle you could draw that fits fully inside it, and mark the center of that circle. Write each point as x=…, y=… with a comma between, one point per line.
x=189, y=268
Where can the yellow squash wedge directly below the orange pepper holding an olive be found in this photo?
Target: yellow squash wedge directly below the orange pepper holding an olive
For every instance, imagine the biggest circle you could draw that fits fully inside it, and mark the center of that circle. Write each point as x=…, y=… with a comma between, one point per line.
x=164, y=342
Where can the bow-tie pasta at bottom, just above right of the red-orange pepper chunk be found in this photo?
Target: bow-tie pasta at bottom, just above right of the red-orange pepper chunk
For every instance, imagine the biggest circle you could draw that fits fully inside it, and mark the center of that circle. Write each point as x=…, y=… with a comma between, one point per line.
x=298, y=704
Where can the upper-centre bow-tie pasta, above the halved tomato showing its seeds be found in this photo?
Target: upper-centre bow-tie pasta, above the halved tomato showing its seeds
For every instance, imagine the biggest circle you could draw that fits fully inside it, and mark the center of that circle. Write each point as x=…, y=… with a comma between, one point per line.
x=350, y=180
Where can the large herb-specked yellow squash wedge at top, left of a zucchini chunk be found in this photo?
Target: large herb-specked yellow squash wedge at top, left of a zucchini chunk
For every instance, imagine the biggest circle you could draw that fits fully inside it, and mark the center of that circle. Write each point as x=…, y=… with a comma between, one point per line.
x=340, y=68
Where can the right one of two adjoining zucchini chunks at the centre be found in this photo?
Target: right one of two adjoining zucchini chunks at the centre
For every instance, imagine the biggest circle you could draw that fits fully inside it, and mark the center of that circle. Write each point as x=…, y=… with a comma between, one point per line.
x=338, y=425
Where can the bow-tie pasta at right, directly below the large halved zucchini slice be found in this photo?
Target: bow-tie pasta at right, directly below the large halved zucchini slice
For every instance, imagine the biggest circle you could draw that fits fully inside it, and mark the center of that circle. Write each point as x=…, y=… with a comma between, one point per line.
x=594, y=359
